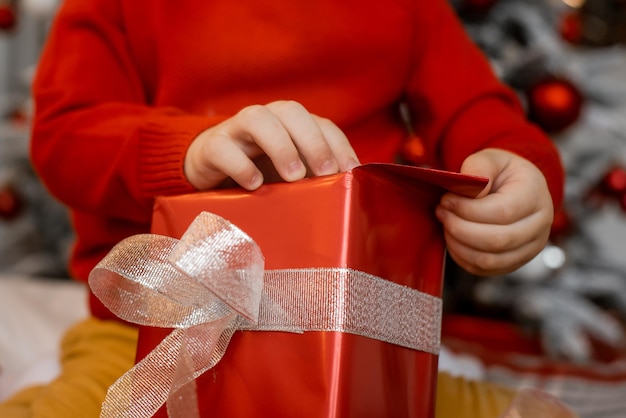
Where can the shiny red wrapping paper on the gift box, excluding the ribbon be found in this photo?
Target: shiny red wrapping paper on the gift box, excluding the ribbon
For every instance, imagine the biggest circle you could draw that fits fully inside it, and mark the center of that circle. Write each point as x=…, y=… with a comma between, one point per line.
x=377, y=218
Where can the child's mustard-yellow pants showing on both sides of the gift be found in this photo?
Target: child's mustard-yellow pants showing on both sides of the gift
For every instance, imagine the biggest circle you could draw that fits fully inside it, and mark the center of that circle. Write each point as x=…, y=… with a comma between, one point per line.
x=95, y=353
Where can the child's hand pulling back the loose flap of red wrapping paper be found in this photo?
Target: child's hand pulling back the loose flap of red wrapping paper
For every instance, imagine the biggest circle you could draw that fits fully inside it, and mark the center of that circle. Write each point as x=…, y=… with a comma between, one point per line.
x=508, y=224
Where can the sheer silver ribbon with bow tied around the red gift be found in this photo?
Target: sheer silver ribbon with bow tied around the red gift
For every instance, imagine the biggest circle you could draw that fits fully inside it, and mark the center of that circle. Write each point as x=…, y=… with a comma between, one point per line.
x=211, y=283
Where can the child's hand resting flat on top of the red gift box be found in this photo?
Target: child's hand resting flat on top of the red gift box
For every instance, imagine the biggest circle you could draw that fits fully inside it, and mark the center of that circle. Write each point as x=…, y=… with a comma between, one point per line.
x=294, y=140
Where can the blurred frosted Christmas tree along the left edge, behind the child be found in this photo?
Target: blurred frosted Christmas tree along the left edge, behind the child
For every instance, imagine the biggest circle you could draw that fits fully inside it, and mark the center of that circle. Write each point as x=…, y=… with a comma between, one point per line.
x=34, y=228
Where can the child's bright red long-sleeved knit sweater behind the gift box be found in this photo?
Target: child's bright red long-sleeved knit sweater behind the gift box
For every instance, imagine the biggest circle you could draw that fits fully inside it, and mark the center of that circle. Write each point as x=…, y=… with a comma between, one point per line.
x=124, y=86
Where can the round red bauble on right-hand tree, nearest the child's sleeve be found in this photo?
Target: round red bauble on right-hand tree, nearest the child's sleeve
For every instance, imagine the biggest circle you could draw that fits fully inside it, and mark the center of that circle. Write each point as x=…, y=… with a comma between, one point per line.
x=554, y=103
